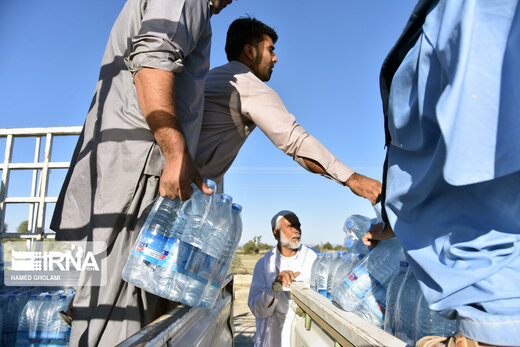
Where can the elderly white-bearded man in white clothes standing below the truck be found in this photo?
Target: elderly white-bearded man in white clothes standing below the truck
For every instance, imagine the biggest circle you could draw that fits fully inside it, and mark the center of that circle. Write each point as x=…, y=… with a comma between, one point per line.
x=285, y=263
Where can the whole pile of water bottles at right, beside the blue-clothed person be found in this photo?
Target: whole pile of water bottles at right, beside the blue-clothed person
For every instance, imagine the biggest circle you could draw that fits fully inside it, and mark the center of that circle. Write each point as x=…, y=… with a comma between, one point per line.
x=377, y=285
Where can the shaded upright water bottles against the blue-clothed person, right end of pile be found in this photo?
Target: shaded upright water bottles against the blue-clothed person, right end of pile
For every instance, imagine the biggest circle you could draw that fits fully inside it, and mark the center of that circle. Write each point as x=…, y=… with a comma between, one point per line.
x=408, y=316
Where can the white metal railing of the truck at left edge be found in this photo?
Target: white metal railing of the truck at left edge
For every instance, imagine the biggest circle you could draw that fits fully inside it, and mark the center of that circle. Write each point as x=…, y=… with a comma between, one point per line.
x=40, y=174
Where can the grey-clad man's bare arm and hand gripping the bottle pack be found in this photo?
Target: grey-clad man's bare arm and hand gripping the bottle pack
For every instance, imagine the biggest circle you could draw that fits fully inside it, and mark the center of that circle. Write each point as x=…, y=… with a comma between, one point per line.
x=156, y=94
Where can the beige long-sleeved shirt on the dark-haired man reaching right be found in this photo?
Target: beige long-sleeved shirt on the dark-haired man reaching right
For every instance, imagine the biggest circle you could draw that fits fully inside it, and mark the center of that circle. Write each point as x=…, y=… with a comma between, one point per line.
x=235, y=102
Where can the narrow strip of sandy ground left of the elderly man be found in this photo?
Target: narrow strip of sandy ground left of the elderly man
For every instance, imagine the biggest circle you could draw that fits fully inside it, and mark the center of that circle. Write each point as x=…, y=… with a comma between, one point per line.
x=243, y=318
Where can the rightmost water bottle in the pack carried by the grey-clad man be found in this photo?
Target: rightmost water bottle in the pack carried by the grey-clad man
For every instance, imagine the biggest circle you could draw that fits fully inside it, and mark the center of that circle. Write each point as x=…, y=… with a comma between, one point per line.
x=215, y=231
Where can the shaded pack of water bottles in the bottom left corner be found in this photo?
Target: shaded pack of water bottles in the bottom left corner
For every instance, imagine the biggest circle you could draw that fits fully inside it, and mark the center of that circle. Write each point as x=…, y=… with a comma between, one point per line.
x=30, y=317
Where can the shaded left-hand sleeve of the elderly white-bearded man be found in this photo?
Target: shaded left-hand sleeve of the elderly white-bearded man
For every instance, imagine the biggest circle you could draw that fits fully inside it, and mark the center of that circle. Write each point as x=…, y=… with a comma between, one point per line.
x=261, y=294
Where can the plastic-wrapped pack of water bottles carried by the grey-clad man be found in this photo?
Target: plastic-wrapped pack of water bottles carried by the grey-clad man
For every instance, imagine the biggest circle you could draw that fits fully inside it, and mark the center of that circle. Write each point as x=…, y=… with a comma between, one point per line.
x=185, y=249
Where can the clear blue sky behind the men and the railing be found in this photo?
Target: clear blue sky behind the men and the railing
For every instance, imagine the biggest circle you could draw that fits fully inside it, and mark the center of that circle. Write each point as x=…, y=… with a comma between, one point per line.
x=330, y=54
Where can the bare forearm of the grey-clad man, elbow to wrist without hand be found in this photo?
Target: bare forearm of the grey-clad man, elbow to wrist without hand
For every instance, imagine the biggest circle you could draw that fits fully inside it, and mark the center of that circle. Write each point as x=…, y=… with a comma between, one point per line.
x=156, y=95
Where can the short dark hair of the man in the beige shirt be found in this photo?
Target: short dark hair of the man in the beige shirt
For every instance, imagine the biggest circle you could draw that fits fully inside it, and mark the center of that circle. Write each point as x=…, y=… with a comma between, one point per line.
x=246, y=30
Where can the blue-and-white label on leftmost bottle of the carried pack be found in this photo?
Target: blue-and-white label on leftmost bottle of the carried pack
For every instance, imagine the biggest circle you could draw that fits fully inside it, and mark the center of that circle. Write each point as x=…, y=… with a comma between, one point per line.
x=153, y=247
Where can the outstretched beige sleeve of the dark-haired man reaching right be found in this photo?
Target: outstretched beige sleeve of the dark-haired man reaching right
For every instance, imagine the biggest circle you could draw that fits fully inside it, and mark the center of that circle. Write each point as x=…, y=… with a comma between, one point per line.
x=264, y=107
